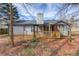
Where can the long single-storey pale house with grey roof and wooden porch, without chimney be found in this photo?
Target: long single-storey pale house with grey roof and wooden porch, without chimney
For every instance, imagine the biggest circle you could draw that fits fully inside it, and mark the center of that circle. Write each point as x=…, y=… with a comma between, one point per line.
x=50, y=28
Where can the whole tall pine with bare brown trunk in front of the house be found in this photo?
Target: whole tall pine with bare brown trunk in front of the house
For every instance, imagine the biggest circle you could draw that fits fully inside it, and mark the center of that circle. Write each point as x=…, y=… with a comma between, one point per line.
x=9, y=12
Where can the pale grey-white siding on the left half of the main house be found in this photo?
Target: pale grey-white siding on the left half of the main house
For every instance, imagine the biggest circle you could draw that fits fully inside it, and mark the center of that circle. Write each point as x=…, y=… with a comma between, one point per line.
x=18, y=30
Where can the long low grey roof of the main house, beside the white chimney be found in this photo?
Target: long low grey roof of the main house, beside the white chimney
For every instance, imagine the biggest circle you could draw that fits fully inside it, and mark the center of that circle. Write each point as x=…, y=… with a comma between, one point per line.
x=33, y=22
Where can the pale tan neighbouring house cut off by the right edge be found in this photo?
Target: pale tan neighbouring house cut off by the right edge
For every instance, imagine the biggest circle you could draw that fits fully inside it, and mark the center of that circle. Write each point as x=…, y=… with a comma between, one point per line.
x=74, y=26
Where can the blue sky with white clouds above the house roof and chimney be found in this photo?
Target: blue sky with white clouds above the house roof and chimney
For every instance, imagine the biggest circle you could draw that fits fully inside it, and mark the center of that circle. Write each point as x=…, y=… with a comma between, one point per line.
x=29, y=11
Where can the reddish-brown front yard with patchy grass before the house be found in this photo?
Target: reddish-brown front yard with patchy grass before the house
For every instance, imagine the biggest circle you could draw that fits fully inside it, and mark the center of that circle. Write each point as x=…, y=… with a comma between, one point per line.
x=50, y=47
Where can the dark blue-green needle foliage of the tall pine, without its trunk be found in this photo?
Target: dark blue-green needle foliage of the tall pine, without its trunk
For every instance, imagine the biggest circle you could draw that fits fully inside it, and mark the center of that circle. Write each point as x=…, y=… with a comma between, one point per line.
x=4, y=11
